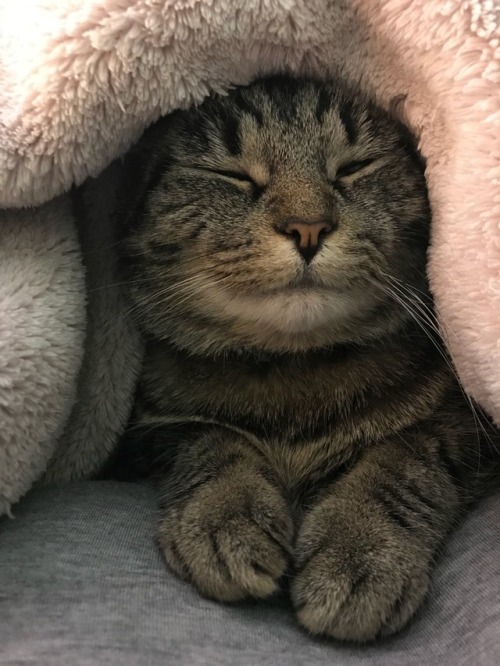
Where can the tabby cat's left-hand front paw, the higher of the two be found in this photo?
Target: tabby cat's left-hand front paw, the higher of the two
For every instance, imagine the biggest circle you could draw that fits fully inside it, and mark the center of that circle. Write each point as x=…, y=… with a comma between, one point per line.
x=232, y=539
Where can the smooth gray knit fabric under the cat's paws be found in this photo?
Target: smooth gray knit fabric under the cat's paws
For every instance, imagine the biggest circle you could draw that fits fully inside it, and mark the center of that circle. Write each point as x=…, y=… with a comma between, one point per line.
x=82, y=583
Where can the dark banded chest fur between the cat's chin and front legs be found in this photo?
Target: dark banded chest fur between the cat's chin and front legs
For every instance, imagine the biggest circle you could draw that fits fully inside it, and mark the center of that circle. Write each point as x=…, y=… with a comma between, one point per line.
x=307, y=413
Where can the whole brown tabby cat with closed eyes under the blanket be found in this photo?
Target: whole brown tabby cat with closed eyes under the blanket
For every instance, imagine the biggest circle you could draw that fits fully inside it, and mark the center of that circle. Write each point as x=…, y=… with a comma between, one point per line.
x=296, y=403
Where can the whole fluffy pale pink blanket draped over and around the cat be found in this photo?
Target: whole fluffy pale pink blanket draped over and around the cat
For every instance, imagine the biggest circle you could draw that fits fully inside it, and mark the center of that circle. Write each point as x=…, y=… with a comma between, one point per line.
x=79, y=82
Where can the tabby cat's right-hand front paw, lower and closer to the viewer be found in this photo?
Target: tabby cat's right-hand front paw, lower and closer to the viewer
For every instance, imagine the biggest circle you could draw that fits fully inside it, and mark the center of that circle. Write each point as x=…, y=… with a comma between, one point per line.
x=358, y=574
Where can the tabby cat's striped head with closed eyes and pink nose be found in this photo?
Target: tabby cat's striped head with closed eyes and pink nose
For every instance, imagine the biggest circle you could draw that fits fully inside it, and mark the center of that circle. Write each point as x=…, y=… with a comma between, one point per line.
x=271, y=219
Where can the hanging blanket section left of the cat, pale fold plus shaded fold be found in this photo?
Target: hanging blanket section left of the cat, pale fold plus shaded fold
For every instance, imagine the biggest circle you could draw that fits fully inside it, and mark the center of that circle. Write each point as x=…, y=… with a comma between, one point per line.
x=69, y=355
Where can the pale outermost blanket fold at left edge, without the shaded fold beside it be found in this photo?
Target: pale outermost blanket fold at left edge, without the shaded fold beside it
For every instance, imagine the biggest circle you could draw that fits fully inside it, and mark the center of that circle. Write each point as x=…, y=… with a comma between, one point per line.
x=42, y=329
